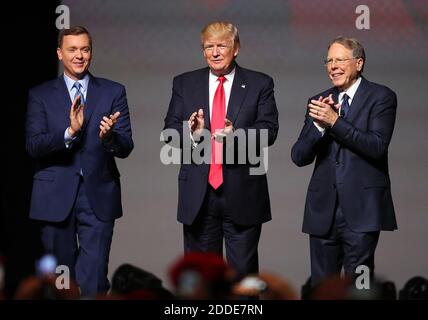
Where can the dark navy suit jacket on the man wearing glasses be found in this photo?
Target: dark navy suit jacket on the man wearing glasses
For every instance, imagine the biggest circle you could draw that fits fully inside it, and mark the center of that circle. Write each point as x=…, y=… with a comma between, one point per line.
x=351, y=163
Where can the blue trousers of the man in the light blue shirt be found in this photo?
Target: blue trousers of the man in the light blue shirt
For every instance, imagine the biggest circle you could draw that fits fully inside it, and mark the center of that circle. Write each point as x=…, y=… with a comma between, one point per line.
x=82, y=242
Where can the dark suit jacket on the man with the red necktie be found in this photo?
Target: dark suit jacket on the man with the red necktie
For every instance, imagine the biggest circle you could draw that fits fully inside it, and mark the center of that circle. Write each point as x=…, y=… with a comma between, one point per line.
x=251, y=106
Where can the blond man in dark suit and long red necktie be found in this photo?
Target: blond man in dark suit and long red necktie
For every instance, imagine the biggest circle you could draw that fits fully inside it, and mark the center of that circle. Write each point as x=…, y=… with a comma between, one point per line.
x=223, y=199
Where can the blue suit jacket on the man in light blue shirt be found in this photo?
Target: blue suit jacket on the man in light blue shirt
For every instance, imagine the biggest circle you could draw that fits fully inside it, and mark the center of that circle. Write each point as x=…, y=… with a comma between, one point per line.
x=58, y=168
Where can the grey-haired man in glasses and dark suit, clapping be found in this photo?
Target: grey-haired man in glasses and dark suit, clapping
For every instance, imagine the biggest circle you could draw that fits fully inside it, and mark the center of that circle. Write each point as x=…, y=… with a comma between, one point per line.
x=347, y=131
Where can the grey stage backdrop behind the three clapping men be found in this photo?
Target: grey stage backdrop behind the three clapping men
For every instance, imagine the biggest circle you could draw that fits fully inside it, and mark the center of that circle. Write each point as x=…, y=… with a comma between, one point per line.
x=143, y=44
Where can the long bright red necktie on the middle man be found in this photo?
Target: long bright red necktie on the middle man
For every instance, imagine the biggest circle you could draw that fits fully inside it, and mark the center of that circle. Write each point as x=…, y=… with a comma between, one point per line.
x=215, y=177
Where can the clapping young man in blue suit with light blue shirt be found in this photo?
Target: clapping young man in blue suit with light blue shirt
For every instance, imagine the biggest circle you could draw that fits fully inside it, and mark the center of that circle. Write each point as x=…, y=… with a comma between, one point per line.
x=76, y=125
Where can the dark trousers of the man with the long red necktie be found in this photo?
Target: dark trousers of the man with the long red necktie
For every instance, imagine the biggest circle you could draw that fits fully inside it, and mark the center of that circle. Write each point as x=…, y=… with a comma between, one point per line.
x=213, y=224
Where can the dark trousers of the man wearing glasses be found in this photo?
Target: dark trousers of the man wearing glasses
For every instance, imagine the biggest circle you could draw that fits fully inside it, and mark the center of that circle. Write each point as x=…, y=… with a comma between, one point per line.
x=341, y=247
